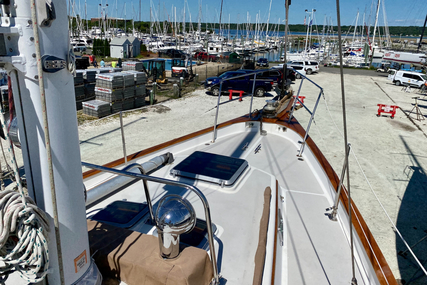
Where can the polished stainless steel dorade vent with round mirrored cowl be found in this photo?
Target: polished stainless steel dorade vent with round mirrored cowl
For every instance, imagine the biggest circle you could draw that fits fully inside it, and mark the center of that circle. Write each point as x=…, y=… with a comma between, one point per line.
x=174, y=216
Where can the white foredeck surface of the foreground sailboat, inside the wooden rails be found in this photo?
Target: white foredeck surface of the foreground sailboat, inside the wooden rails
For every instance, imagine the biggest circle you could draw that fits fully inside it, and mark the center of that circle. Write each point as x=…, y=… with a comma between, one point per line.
x=314, y=250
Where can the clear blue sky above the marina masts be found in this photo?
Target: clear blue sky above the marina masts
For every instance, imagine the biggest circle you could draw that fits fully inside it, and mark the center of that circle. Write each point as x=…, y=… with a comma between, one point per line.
x=398, y=12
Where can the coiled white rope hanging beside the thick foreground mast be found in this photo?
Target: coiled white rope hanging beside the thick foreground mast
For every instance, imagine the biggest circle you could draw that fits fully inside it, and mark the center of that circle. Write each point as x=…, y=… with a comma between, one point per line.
x=23, y=245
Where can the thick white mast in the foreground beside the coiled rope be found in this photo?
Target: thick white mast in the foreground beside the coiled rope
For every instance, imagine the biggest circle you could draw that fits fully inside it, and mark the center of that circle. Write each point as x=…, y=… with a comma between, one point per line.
x=49, y=139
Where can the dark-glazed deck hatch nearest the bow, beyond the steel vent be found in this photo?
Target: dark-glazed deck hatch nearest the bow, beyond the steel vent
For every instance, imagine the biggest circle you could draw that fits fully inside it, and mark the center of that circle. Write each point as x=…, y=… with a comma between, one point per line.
x=215, y=168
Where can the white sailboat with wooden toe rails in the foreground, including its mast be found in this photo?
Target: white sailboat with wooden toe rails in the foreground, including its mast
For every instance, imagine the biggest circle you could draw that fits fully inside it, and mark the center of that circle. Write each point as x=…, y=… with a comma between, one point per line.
x=242, y=202
